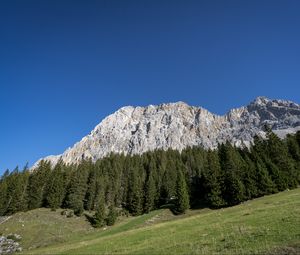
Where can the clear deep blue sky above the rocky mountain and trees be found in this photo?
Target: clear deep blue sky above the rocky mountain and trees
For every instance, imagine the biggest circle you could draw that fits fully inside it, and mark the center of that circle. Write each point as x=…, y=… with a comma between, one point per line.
x=65, y=65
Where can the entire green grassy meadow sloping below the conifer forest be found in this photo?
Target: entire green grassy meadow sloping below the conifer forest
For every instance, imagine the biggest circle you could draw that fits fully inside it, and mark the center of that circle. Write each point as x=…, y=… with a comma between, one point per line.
x=269, y=224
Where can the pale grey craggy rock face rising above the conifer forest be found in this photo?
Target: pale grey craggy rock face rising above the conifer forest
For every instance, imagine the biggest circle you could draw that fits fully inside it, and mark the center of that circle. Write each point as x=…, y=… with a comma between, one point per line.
x=134, y=130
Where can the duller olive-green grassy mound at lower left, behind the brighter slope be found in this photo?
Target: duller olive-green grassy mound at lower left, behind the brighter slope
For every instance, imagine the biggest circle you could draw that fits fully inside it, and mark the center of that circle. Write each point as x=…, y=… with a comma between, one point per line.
x=42, y=227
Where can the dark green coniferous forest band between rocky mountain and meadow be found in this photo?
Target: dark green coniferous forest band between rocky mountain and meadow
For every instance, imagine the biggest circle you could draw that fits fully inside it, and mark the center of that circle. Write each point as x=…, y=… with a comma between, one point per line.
x=138, y=184
